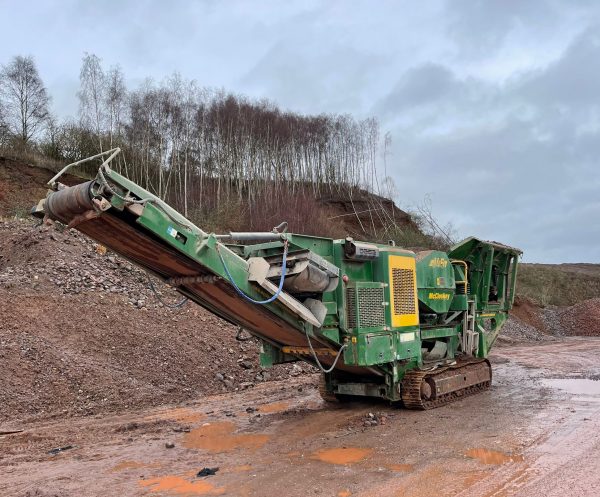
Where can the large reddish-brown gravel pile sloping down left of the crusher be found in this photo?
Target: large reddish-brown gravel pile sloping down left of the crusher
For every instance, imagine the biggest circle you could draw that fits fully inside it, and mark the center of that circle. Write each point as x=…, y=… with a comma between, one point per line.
x=81, y=333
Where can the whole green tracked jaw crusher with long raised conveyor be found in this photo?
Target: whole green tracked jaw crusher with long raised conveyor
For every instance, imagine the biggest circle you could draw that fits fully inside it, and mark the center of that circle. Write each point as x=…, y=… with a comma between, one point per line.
x=377, y=320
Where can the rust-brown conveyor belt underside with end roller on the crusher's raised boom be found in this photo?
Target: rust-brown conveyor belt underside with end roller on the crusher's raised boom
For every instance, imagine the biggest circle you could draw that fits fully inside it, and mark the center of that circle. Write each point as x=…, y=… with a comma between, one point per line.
x=119, y=232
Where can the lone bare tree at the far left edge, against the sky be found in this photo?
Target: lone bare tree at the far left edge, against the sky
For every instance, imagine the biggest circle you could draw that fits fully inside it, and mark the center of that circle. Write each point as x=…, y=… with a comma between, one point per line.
x=25, y=98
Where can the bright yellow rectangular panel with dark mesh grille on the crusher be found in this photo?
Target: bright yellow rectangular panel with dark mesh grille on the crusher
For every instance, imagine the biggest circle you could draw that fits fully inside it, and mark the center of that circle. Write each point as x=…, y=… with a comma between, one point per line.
x=403, y=291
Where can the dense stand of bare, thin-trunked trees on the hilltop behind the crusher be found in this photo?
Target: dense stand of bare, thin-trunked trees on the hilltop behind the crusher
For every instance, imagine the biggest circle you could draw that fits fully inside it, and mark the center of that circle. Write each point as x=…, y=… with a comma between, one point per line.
x=210, y=153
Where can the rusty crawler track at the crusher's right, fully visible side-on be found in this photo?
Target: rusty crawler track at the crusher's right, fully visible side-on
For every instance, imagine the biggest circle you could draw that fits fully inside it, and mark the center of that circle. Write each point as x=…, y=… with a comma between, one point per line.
x=419, y=387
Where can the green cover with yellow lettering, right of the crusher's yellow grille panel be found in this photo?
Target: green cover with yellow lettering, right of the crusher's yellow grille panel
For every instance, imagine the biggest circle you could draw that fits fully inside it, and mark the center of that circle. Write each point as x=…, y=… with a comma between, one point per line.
x=435, y=281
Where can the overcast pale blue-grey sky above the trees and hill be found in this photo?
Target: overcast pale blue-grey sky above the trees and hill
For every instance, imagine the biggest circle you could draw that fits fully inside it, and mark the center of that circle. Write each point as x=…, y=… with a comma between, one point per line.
x=493, y=106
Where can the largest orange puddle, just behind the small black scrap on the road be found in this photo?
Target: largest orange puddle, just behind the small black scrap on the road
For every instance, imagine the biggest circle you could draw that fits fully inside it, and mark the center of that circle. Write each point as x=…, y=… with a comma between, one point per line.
x=220, y=437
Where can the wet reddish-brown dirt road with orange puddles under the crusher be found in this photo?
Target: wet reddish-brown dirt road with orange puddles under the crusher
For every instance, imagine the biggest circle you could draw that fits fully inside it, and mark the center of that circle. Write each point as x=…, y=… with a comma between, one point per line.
x=537, y=432
